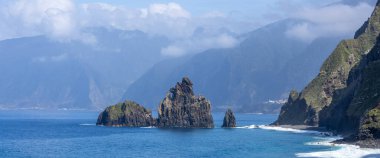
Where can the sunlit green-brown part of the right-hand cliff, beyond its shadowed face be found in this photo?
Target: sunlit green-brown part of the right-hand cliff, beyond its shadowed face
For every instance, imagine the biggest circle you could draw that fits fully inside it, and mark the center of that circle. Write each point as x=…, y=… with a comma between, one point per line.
x=331, y=86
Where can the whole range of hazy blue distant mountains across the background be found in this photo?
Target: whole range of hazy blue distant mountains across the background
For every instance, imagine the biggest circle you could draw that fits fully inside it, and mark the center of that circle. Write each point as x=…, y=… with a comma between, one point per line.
x=255, y=76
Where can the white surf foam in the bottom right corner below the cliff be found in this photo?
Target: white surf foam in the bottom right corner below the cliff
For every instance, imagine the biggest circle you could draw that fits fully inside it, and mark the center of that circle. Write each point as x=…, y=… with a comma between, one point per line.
x=343, y=151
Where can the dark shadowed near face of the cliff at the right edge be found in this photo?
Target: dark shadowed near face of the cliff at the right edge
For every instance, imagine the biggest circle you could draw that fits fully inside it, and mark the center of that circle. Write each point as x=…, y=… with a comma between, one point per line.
x=354, y=108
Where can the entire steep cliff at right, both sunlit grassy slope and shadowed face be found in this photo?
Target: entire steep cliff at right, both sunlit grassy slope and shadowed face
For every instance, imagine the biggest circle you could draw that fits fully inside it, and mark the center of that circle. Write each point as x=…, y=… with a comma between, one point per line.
x=345, y=96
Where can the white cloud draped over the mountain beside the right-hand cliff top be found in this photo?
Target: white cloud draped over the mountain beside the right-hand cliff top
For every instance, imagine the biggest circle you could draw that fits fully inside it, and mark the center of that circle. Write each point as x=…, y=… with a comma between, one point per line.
x=332, y=20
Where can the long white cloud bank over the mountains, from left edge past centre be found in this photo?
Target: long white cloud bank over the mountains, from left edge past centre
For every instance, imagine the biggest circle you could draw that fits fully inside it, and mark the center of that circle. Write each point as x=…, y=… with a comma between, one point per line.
x=64, y=20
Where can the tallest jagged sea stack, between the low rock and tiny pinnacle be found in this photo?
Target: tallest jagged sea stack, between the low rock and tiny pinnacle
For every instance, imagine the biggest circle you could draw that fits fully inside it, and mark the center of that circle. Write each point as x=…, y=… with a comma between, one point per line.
x=181, y=109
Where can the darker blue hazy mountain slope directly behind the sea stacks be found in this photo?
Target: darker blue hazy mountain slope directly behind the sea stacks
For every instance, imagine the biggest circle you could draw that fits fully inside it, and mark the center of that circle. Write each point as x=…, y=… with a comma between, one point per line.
x=261, y=68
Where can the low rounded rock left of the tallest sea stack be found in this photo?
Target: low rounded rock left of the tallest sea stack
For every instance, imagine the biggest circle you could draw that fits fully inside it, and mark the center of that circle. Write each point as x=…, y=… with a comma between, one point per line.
x=129, y=114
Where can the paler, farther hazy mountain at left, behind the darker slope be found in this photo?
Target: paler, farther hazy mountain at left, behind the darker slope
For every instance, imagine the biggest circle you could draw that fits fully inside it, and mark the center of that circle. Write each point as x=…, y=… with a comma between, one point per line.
x=37, y=72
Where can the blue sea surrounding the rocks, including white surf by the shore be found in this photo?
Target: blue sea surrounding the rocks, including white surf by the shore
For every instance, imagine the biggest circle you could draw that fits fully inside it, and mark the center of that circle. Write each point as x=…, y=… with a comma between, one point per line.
x=65, y=133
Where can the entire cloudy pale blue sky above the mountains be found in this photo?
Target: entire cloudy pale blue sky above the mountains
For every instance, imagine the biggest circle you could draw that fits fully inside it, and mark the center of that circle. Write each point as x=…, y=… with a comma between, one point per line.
x=179, y=20
